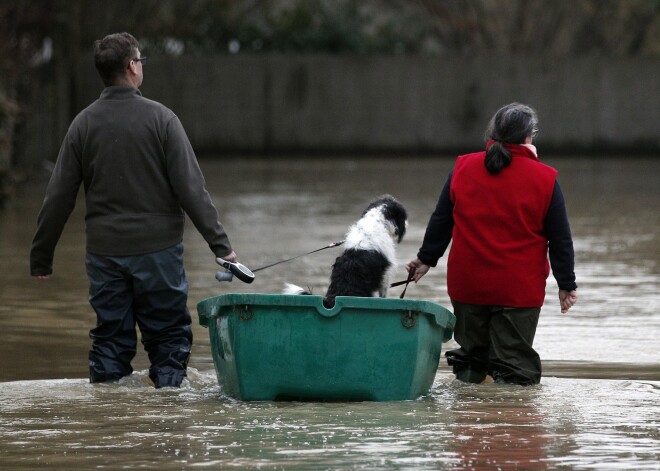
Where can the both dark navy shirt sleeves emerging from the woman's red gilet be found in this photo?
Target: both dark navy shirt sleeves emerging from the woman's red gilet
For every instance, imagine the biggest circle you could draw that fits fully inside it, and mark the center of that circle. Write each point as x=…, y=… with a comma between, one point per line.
x=560, y=242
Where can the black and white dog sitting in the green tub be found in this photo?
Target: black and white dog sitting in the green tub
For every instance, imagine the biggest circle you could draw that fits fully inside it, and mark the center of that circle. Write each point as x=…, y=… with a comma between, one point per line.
x=366, y=266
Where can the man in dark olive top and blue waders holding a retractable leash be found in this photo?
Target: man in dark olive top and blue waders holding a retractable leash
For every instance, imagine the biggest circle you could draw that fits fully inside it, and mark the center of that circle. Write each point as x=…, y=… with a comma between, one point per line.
x=140, y=175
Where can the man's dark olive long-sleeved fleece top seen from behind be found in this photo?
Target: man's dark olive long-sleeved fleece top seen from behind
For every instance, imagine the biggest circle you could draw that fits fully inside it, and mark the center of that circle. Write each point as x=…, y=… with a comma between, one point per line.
x=140, y=177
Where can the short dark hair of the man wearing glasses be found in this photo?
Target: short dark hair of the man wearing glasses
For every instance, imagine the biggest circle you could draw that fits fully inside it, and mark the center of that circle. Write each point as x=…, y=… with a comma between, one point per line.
x=112, y=55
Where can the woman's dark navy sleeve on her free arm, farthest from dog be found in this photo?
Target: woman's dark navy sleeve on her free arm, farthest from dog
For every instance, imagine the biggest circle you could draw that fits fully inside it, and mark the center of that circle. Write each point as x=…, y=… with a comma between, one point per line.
x=560, y=241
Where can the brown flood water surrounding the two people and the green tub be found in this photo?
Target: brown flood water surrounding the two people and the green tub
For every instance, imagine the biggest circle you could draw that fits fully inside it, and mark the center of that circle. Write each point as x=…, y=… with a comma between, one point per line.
x=598, y=405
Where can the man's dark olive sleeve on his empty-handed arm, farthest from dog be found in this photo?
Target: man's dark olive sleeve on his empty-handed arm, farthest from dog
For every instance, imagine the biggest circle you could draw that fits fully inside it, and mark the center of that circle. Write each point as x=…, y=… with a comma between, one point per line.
x=57, y=206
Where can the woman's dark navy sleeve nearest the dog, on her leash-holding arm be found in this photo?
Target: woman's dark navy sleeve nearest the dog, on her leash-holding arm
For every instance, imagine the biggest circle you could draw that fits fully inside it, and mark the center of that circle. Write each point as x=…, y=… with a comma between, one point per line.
x=439, y=229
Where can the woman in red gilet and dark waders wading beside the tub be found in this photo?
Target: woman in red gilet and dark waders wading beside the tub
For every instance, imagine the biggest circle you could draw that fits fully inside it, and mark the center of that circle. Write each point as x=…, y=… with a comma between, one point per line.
x=503, y=210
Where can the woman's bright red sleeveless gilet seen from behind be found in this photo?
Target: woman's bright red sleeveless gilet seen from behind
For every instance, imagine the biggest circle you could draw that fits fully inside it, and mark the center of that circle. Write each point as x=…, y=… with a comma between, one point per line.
x=499, y=252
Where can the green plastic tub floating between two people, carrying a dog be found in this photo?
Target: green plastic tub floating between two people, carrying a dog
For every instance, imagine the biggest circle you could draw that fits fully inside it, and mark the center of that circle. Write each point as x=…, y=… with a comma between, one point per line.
x=269, y=347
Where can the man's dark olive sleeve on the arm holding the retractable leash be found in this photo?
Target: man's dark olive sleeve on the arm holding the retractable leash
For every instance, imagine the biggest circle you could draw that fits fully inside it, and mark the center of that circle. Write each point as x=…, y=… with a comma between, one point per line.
x=189, y=185
